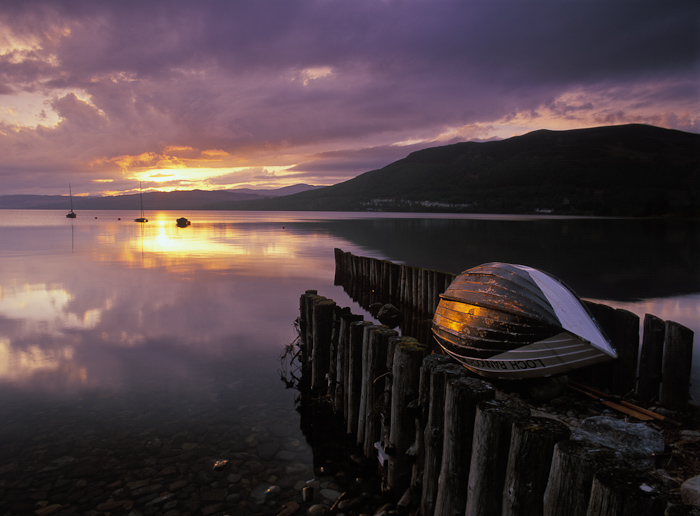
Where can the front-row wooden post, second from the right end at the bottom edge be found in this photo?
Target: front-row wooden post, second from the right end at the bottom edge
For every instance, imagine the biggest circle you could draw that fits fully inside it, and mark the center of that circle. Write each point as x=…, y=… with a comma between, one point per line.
x=574, y=464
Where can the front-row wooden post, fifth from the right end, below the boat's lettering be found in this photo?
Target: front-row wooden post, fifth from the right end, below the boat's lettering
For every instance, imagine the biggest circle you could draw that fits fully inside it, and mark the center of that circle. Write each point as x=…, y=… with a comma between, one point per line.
x=461, y=399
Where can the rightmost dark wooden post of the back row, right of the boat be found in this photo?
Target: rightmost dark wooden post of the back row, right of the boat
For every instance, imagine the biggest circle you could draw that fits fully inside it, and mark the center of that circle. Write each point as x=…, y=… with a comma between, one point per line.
x=678, y=357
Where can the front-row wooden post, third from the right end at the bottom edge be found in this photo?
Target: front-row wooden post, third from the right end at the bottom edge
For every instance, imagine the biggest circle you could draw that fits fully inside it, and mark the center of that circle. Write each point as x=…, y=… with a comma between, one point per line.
x=529, y=461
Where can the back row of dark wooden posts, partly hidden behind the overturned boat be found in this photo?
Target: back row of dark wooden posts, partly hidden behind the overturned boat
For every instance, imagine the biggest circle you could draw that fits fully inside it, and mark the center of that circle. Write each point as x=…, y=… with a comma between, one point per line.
x=654, y=359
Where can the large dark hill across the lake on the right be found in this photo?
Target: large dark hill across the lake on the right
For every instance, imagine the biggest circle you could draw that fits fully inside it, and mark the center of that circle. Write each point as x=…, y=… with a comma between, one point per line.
x=628, y=170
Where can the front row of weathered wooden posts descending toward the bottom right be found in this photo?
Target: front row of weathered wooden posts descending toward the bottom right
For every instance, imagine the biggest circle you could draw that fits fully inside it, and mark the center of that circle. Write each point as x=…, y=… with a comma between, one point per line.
x=446, y=442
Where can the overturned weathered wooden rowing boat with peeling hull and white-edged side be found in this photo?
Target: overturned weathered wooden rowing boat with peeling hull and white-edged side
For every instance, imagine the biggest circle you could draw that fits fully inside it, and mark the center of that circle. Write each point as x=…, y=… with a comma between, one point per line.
x=511, y=321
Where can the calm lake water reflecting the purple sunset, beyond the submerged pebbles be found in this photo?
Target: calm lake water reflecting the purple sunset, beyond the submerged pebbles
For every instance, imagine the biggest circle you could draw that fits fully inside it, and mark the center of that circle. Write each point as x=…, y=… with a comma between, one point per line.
x=151, y=329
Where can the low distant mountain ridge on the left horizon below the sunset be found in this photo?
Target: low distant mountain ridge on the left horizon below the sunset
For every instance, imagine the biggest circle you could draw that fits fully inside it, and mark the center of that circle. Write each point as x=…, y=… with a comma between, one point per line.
x=176, y=200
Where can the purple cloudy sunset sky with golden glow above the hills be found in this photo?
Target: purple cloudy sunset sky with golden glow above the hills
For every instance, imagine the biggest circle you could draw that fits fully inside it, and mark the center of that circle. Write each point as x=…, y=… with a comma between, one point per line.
x=223, y=94
